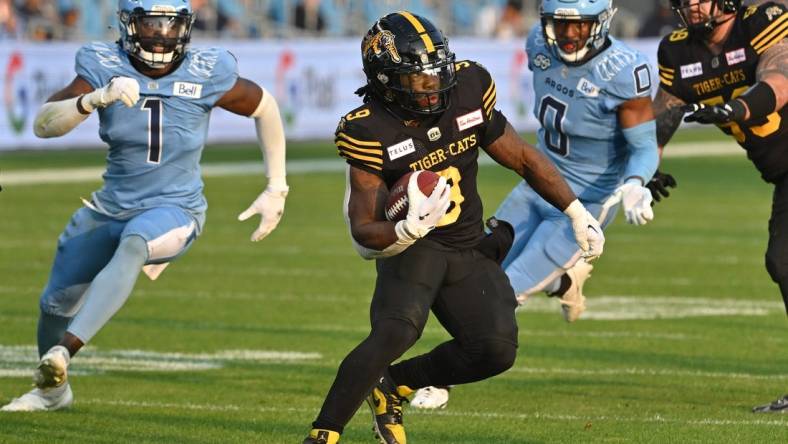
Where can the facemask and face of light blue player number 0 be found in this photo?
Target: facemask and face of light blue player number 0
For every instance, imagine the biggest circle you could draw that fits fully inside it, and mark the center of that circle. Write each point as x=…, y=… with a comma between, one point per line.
x=573, y=37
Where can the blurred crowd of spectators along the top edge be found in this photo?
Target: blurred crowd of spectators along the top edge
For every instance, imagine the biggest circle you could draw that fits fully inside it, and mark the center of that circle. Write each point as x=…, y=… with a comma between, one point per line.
x=40, y=20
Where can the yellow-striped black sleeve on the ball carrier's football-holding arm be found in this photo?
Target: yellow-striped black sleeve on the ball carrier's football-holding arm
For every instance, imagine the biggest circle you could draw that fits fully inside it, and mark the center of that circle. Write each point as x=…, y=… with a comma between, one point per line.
x=358, y=148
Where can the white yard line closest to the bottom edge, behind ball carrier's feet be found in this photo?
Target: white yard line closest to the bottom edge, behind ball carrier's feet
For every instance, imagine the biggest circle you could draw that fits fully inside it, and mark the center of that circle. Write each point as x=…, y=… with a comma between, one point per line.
x=449, y=413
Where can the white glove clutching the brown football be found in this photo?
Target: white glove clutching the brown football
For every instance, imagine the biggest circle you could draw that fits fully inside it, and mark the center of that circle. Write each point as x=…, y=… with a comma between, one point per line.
x=423, y=212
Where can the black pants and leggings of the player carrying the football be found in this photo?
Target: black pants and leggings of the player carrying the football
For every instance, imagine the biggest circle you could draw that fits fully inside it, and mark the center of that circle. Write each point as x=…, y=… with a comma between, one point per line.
x=470, y=296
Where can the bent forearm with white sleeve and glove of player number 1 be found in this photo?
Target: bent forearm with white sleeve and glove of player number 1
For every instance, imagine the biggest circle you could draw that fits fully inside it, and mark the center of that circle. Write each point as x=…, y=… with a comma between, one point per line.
x=70, y=106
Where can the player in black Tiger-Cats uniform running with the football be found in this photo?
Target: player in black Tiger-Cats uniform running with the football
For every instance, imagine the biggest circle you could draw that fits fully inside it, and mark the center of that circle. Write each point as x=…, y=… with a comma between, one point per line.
x=423, y=110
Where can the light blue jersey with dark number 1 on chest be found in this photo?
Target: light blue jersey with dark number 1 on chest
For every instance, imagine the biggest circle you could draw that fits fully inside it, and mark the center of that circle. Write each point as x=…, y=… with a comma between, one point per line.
x=148, y=167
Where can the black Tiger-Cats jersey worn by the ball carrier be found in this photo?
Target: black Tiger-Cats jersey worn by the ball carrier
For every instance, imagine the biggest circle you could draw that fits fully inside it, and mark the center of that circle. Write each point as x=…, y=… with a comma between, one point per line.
x=374, y=139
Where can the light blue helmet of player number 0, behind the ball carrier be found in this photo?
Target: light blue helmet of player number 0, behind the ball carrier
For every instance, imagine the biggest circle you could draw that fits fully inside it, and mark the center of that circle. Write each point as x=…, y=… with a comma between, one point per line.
x=598, y=12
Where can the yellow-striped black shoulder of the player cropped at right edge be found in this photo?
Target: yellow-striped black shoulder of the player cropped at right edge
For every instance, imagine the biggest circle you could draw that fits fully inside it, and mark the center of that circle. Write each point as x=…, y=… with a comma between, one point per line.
x=766, y=25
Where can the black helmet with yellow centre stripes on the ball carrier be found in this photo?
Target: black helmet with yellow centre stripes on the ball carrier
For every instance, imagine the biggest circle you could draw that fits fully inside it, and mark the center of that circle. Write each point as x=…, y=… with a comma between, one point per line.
x=408, y=63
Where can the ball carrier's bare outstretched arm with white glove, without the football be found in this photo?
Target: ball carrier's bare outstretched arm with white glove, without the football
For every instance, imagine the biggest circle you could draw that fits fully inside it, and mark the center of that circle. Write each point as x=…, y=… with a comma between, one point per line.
x=512, y=152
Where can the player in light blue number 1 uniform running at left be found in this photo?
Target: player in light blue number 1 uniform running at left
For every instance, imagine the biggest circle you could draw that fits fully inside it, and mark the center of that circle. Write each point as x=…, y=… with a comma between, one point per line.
x=154, y=97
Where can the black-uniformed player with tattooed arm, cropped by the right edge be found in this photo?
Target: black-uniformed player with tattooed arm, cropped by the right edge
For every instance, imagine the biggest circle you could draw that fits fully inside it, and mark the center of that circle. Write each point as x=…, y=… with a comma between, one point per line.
x=728, y=66
